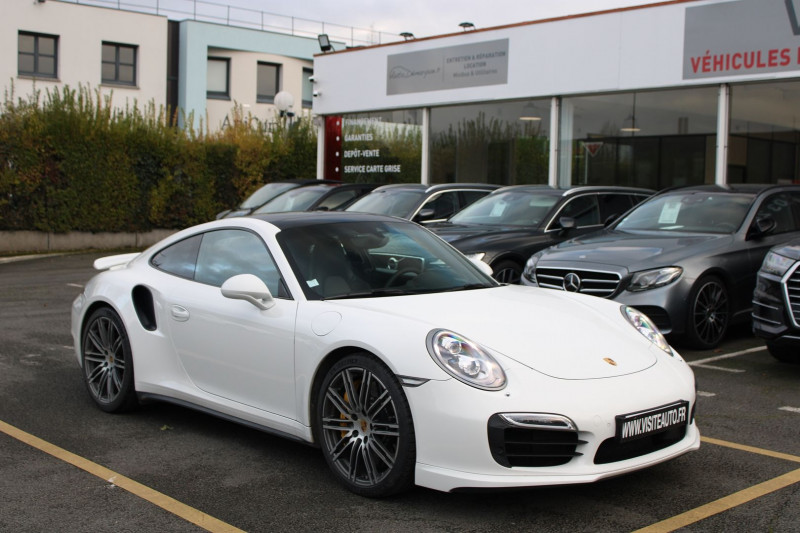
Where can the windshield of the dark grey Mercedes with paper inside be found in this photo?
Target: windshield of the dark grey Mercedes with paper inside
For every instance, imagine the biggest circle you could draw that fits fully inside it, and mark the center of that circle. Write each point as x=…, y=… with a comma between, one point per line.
x=692, y=212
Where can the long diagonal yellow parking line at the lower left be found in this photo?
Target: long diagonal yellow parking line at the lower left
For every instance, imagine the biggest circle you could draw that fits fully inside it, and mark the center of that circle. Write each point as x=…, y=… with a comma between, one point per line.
x=190, y=514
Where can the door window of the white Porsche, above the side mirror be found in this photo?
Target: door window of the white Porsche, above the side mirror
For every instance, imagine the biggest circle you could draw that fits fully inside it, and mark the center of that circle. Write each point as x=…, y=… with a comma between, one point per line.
x=227, y=253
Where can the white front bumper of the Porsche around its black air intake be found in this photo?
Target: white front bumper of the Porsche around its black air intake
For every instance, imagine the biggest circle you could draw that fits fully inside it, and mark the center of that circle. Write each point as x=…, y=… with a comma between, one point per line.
x=458, y=455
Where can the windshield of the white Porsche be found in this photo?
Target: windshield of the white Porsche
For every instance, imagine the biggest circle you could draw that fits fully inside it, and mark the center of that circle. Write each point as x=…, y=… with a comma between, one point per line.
x=369, y=259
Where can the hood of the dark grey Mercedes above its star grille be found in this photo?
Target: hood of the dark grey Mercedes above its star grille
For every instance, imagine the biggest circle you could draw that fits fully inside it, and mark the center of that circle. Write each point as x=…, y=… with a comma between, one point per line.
x=635, y=251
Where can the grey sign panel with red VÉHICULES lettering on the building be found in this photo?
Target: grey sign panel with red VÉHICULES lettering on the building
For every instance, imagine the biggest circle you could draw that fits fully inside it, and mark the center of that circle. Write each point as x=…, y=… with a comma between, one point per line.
x=741, y=38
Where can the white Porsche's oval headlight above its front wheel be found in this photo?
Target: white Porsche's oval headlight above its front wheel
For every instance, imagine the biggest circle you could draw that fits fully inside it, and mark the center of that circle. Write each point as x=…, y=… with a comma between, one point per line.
x=465, y=360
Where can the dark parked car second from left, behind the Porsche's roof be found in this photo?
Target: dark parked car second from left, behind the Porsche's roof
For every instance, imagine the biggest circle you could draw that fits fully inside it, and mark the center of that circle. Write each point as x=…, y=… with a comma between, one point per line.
x=330, y=196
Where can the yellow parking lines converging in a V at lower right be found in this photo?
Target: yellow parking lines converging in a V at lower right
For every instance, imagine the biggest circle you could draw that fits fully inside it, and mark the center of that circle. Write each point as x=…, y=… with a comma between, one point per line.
x=734, y=500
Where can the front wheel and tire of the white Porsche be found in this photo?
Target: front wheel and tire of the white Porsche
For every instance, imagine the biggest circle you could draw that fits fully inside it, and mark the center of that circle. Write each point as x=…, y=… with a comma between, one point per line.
x=365, y=427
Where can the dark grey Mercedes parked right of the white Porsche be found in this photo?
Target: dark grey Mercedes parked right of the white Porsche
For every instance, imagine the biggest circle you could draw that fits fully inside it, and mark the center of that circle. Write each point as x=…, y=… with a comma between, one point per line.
x=687, y=257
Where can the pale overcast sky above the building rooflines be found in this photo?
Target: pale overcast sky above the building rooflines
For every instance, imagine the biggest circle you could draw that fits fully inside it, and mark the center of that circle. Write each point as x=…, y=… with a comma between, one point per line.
x=424, y=18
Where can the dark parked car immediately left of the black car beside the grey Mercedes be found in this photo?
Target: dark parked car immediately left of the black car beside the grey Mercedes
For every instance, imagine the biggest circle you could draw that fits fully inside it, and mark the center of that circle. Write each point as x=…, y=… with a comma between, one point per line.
x=423, y=204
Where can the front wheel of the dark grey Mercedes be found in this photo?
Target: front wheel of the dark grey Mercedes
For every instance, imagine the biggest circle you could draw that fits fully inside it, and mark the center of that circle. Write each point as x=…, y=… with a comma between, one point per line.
x=708, y=314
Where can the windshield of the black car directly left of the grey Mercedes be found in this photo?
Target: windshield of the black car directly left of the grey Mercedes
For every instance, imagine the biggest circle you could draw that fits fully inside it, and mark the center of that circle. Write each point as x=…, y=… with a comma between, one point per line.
x=508, y=208
